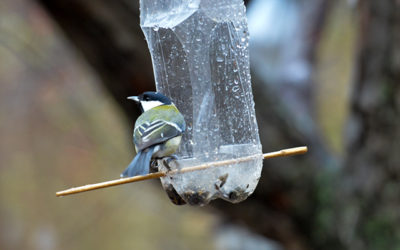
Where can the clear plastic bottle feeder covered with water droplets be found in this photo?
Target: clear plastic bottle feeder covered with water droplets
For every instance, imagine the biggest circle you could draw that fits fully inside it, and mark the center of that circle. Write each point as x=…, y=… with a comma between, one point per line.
x=200, y=57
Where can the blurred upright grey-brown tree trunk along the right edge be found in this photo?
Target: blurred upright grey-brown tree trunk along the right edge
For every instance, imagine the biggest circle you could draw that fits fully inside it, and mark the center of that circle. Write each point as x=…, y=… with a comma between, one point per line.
x=371, y=174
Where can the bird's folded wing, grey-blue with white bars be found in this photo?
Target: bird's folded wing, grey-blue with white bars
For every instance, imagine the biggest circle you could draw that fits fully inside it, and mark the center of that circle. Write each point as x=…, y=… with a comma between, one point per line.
x=155, y=132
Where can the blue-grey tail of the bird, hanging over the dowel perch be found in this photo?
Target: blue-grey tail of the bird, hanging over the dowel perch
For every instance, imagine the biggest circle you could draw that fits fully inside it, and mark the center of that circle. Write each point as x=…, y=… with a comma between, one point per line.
x=140, y=164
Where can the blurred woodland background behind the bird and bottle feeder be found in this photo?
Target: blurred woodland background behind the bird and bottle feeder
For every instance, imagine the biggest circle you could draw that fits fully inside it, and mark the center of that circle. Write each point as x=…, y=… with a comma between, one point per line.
x=325, y=74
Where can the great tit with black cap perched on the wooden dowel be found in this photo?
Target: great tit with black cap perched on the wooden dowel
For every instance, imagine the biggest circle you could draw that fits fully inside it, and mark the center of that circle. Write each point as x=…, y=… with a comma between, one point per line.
x=157, y=132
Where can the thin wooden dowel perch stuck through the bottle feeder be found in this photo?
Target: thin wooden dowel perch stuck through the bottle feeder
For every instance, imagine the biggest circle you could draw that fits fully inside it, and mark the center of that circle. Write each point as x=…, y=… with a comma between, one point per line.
x=89, y=187
